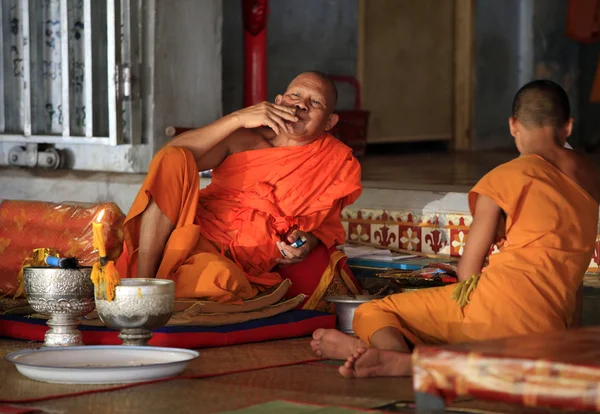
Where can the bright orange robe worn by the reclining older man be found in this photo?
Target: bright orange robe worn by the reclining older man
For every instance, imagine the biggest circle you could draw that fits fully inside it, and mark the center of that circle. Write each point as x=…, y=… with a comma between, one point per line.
x=223, y=246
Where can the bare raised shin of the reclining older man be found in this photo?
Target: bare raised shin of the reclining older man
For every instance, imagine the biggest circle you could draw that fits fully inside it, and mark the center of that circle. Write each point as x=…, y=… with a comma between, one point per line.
x=155, y=230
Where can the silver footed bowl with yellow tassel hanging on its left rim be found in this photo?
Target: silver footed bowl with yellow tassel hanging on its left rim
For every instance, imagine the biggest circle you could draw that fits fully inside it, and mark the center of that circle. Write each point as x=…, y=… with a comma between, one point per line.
x=139, y=306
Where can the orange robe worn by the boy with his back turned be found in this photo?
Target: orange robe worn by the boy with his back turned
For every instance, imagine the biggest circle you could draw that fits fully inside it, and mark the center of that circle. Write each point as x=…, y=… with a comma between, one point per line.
x=528, y=287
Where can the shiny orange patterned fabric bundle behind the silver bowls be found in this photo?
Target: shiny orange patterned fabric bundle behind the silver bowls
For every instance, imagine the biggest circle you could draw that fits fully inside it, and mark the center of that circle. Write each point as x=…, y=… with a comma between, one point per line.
x=27, y=225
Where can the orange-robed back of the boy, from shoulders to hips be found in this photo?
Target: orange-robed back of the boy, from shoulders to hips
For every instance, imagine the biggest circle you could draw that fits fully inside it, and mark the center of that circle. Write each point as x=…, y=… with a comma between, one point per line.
x=551, y=227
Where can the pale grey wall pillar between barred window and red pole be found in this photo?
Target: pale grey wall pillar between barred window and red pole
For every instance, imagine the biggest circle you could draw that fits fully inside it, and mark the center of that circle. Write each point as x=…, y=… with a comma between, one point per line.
x=187, y=64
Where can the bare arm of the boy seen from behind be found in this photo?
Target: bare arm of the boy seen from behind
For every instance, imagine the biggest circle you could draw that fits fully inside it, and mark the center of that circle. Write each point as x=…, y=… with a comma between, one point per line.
x=482, y=234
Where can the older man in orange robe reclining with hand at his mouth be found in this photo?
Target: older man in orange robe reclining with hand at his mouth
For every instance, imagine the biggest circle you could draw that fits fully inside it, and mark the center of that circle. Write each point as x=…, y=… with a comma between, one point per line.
x=278, y=176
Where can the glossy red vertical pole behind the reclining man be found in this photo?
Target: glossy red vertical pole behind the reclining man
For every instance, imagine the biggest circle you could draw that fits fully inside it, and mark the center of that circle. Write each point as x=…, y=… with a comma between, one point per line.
x=255, y=14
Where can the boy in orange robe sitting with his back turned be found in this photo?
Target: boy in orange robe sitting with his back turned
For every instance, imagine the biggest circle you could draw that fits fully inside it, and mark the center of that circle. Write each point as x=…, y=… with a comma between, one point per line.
x=545, y=207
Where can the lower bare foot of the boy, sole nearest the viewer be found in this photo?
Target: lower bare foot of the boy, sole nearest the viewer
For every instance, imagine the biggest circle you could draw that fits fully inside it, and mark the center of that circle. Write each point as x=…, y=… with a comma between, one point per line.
x=376, y=363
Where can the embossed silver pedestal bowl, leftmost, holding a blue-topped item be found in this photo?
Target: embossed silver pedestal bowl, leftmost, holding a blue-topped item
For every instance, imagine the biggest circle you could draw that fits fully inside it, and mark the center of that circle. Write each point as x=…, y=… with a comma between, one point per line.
x=63, y=294
